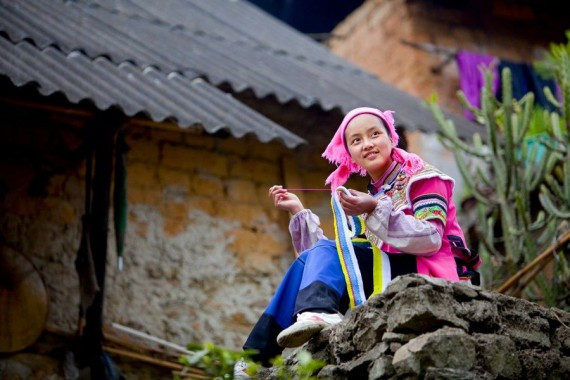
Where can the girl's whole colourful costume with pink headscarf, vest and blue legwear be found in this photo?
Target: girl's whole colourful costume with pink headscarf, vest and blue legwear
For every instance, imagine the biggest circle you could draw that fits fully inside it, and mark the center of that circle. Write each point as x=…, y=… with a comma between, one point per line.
x=413, y=229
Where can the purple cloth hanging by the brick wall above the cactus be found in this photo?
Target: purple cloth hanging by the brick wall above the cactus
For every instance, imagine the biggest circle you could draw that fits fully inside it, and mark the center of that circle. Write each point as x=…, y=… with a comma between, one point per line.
x=472, y=79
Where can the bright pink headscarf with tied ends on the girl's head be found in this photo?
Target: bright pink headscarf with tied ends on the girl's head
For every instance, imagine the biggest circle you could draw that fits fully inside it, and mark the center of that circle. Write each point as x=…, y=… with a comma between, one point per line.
x=337, y=150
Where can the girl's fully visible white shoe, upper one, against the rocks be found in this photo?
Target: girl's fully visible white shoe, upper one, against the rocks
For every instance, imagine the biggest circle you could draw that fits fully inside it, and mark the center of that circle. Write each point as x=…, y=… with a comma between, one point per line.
x=307, y=325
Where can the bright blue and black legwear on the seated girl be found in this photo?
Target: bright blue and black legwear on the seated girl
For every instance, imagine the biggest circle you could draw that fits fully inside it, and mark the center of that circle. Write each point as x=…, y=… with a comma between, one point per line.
x=315, y=282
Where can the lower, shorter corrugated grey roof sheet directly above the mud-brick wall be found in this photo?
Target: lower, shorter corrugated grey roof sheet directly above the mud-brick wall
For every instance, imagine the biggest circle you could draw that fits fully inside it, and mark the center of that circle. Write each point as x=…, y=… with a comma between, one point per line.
x=187, y=100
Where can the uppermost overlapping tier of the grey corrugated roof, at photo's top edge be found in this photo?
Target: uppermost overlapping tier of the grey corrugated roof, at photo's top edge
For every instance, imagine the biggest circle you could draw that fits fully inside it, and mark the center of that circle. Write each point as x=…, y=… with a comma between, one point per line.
x=236, y=21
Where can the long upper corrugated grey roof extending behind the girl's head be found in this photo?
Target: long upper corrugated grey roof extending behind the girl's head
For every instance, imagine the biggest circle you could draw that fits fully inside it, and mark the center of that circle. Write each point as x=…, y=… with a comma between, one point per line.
x=168, y=40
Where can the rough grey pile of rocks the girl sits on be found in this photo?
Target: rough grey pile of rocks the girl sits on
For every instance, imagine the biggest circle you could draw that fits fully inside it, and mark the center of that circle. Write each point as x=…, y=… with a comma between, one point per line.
x=432, y=329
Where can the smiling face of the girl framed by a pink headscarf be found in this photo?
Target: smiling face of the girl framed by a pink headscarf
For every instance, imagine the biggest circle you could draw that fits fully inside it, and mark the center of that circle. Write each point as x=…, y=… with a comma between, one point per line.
x=369, y=144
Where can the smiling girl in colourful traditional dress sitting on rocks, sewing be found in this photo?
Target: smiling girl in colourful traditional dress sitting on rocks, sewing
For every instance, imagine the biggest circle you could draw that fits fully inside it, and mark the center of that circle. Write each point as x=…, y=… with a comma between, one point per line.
x=408, y=219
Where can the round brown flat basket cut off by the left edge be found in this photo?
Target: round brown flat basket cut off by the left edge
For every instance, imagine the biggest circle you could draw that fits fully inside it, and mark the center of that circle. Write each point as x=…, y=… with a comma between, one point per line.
x=23, y=301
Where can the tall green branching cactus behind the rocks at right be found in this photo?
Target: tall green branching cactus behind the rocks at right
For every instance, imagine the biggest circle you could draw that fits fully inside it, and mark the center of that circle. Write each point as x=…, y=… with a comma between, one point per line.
x=523, y=201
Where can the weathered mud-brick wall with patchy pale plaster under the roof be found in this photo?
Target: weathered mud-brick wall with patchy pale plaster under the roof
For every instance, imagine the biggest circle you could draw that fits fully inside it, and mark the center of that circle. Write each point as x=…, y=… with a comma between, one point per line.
x=205, y=248
